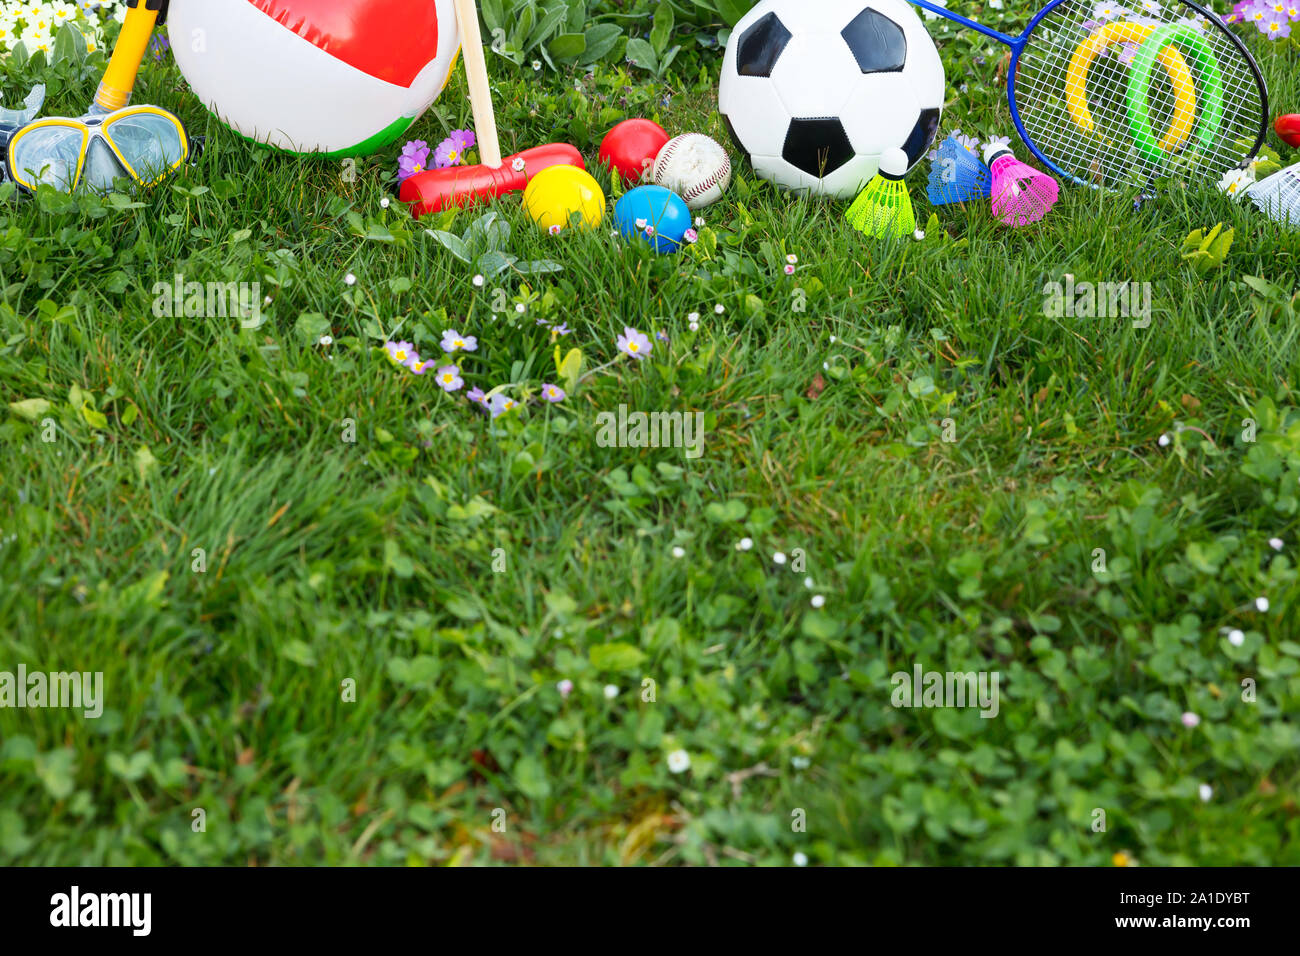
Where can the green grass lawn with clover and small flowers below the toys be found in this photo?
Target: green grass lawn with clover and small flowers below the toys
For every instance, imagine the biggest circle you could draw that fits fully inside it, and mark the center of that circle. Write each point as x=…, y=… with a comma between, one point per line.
x=372, y=561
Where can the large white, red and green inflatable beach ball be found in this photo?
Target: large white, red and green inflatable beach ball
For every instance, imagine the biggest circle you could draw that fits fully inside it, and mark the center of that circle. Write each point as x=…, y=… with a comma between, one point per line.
x=339, y=77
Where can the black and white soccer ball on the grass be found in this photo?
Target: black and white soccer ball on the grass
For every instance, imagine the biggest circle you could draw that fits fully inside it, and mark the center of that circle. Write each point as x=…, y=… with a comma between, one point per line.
x=817, y=94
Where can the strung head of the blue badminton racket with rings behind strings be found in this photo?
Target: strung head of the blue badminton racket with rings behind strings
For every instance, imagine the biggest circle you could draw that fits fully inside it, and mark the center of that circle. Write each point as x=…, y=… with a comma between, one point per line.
x=1112, y=114
